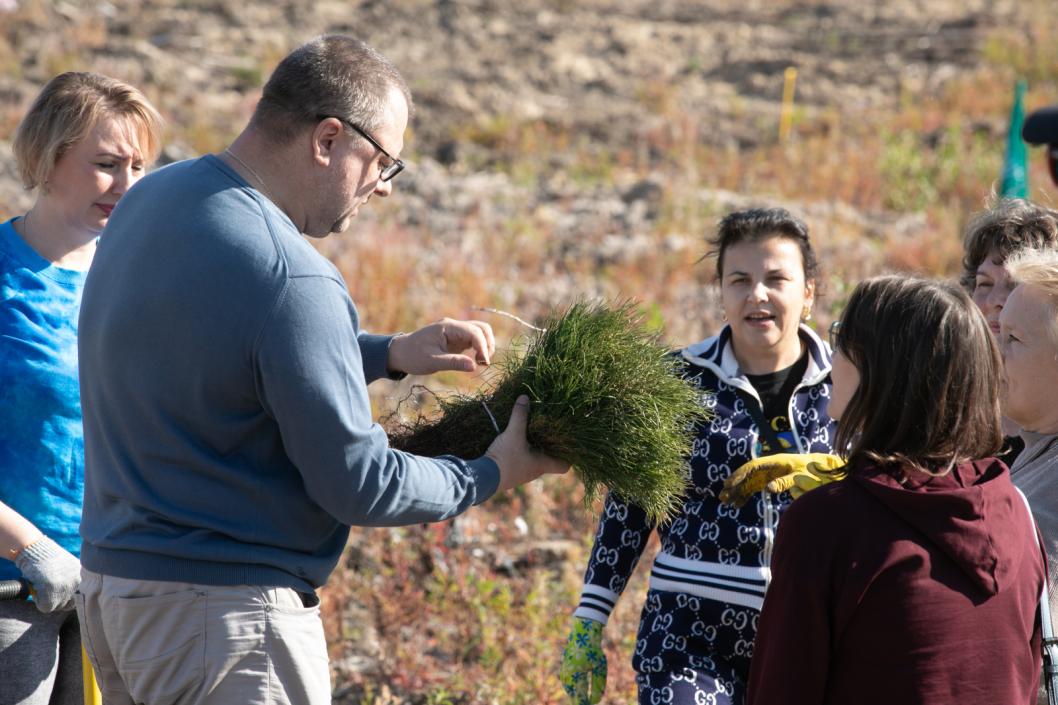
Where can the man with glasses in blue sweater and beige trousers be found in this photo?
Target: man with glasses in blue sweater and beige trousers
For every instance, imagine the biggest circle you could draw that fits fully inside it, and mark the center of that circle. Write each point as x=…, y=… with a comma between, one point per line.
x=229, y=433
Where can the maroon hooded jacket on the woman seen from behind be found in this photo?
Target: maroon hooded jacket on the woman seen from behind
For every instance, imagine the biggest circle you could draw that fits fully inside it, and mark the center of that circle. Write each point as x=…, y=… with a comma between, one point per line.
x=898, y=594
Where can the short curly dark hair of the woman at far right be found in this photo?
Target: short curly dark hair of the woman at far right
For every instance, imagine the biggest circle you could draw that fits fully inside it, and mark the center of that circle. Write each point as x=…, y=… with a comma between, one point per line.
x=1010, y=226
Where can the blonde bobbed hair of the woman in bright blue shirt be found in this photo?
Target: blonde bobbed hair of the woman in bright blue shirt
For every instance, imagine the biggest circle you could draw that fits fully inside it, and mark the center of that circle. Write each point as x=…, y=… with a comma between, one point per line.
x=66, y=112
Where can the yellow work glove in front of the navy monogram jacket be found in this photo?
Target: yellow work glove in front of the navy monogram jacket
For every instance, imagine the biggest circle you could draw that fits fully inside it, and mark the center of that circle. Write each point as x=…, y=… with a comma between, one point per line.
x=797, y=473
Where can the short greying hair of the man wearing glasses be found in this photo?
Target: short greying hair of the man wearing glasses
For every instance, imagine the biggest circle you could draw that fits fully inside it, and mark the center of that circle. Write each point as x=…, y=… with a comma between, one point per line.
x=334, y=76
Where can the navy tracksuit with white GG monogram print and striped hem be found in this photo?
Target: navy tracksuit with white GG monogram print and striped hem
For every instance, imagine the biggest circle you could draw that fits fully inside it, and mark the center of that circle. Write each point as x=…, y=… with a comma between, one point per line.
x=708, y=582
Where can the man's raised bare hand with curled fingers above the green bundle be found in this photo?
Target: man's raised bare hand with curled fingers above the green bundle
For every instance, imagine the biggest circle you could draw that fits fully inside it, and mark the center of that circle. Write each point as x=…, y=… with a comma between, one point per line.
x=448, y=345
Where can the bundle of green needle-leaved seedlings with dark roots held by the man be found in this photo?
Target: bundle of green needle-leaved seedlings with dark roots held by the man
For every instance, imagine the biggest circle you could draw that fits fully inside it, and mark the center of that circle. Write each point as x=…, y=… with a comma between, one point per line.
x=607, y=396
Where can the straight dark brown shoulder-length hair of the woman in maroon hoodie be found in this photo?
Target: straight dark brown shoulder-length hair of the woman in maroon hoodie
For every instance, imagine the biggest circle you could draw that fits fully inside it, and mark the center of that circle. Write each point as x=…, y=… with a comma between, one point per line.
x=929, y=370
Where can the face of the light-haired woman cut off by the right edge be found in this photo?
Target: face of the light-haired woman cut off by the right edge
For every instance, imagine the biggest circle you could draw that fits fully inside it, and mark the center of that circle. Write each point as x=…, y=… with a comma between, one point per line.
x=1030, y=360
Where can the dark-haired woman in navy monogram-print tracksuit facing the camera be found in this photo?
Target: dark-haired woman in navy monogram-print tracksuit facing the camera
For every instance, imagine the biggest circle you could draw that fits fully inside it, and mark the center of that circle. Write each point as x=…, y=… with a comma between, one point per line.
x=765, y=379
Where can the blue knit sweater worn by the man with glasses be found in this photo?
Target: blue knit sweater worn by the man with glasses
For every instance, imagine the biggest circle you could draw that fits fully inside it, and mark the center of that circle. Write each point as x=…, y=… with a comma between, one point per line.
x=228, y=427
